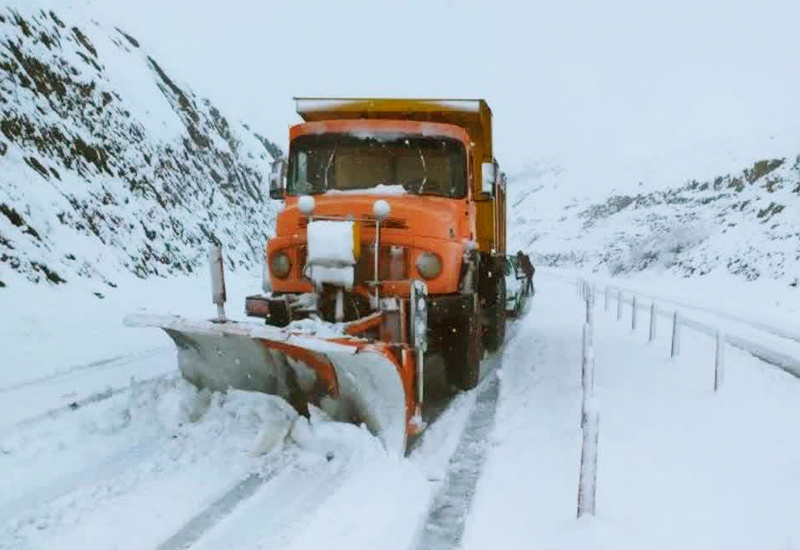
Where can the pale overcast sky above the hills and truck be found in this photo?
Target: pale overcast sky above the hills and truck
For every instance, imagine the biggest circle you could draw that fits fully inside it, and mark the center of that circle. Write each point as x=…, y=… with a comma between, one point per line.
x=577, y=81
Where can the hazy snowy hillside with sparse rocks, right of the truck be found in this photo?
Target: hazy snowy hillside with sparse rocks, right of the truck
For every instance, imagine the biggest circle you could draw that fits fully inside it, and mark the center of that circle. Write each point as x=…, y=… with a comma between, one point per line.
x=745, y=222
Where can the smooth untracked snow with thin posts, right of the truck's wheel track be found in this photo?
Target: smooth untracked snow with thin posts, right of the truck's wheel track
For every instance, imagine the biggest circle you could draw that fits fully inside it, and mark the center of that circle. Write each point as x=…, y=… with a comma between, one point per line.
x=679, y=466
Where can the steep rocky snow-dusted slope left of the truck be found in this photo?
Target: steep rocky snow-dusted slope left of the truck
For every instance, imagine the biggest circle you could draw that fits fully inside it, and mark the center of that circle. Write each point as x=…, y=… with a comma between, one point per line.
x=108, y=163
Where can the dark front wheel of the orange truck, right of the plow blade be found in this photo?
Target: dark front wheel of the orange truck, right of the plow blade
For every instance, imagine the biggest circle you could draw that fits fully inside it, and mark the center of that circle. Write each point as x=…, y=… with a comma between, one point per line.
x=463, y=352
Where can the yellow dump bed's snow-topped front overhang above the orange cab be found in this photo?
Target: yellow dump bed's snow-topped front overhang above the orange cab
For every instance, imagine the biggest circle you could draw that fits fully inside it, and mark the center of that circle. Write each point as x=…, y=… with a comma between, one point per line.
x=474, y=115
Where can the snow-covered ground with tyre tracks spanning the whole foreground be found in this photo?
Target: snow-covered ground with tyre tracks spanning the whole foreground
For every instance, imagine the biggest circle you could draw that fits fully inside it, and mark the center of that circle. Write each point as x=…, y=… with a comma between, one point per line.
x=154, y=463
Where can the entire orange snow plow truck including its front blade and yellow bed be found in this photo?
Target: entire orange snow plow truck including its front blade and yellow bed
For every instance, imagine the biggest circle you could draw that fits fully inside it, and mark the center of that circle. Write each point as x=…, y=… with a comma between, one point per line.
x=390, y=247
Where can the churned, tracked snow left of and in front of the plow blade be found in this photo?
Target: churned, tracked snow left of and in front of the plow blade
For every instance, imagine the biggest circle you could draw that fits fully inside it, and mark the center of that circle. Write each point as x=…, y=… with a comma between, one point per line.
x=126, y=453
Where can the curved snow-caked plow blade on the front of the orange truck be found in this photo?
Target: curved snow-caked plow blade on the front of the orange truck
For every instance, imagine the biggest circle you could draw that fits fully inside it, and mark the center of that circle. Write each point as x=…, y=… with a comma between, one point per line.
x=348, y=378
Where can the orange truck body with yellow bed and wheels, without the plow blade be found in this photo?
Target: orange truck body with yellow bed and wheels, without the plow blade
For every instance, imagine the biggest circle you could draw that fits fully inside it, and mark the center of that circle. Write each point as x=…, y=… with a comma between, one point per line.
x=441, y=220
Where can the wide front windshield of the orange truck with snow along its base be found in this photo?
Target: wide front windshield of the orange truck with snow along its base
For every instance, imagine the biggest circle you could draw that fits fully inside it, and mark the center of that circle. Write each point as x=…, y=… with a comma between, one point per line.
x=344, y=162
